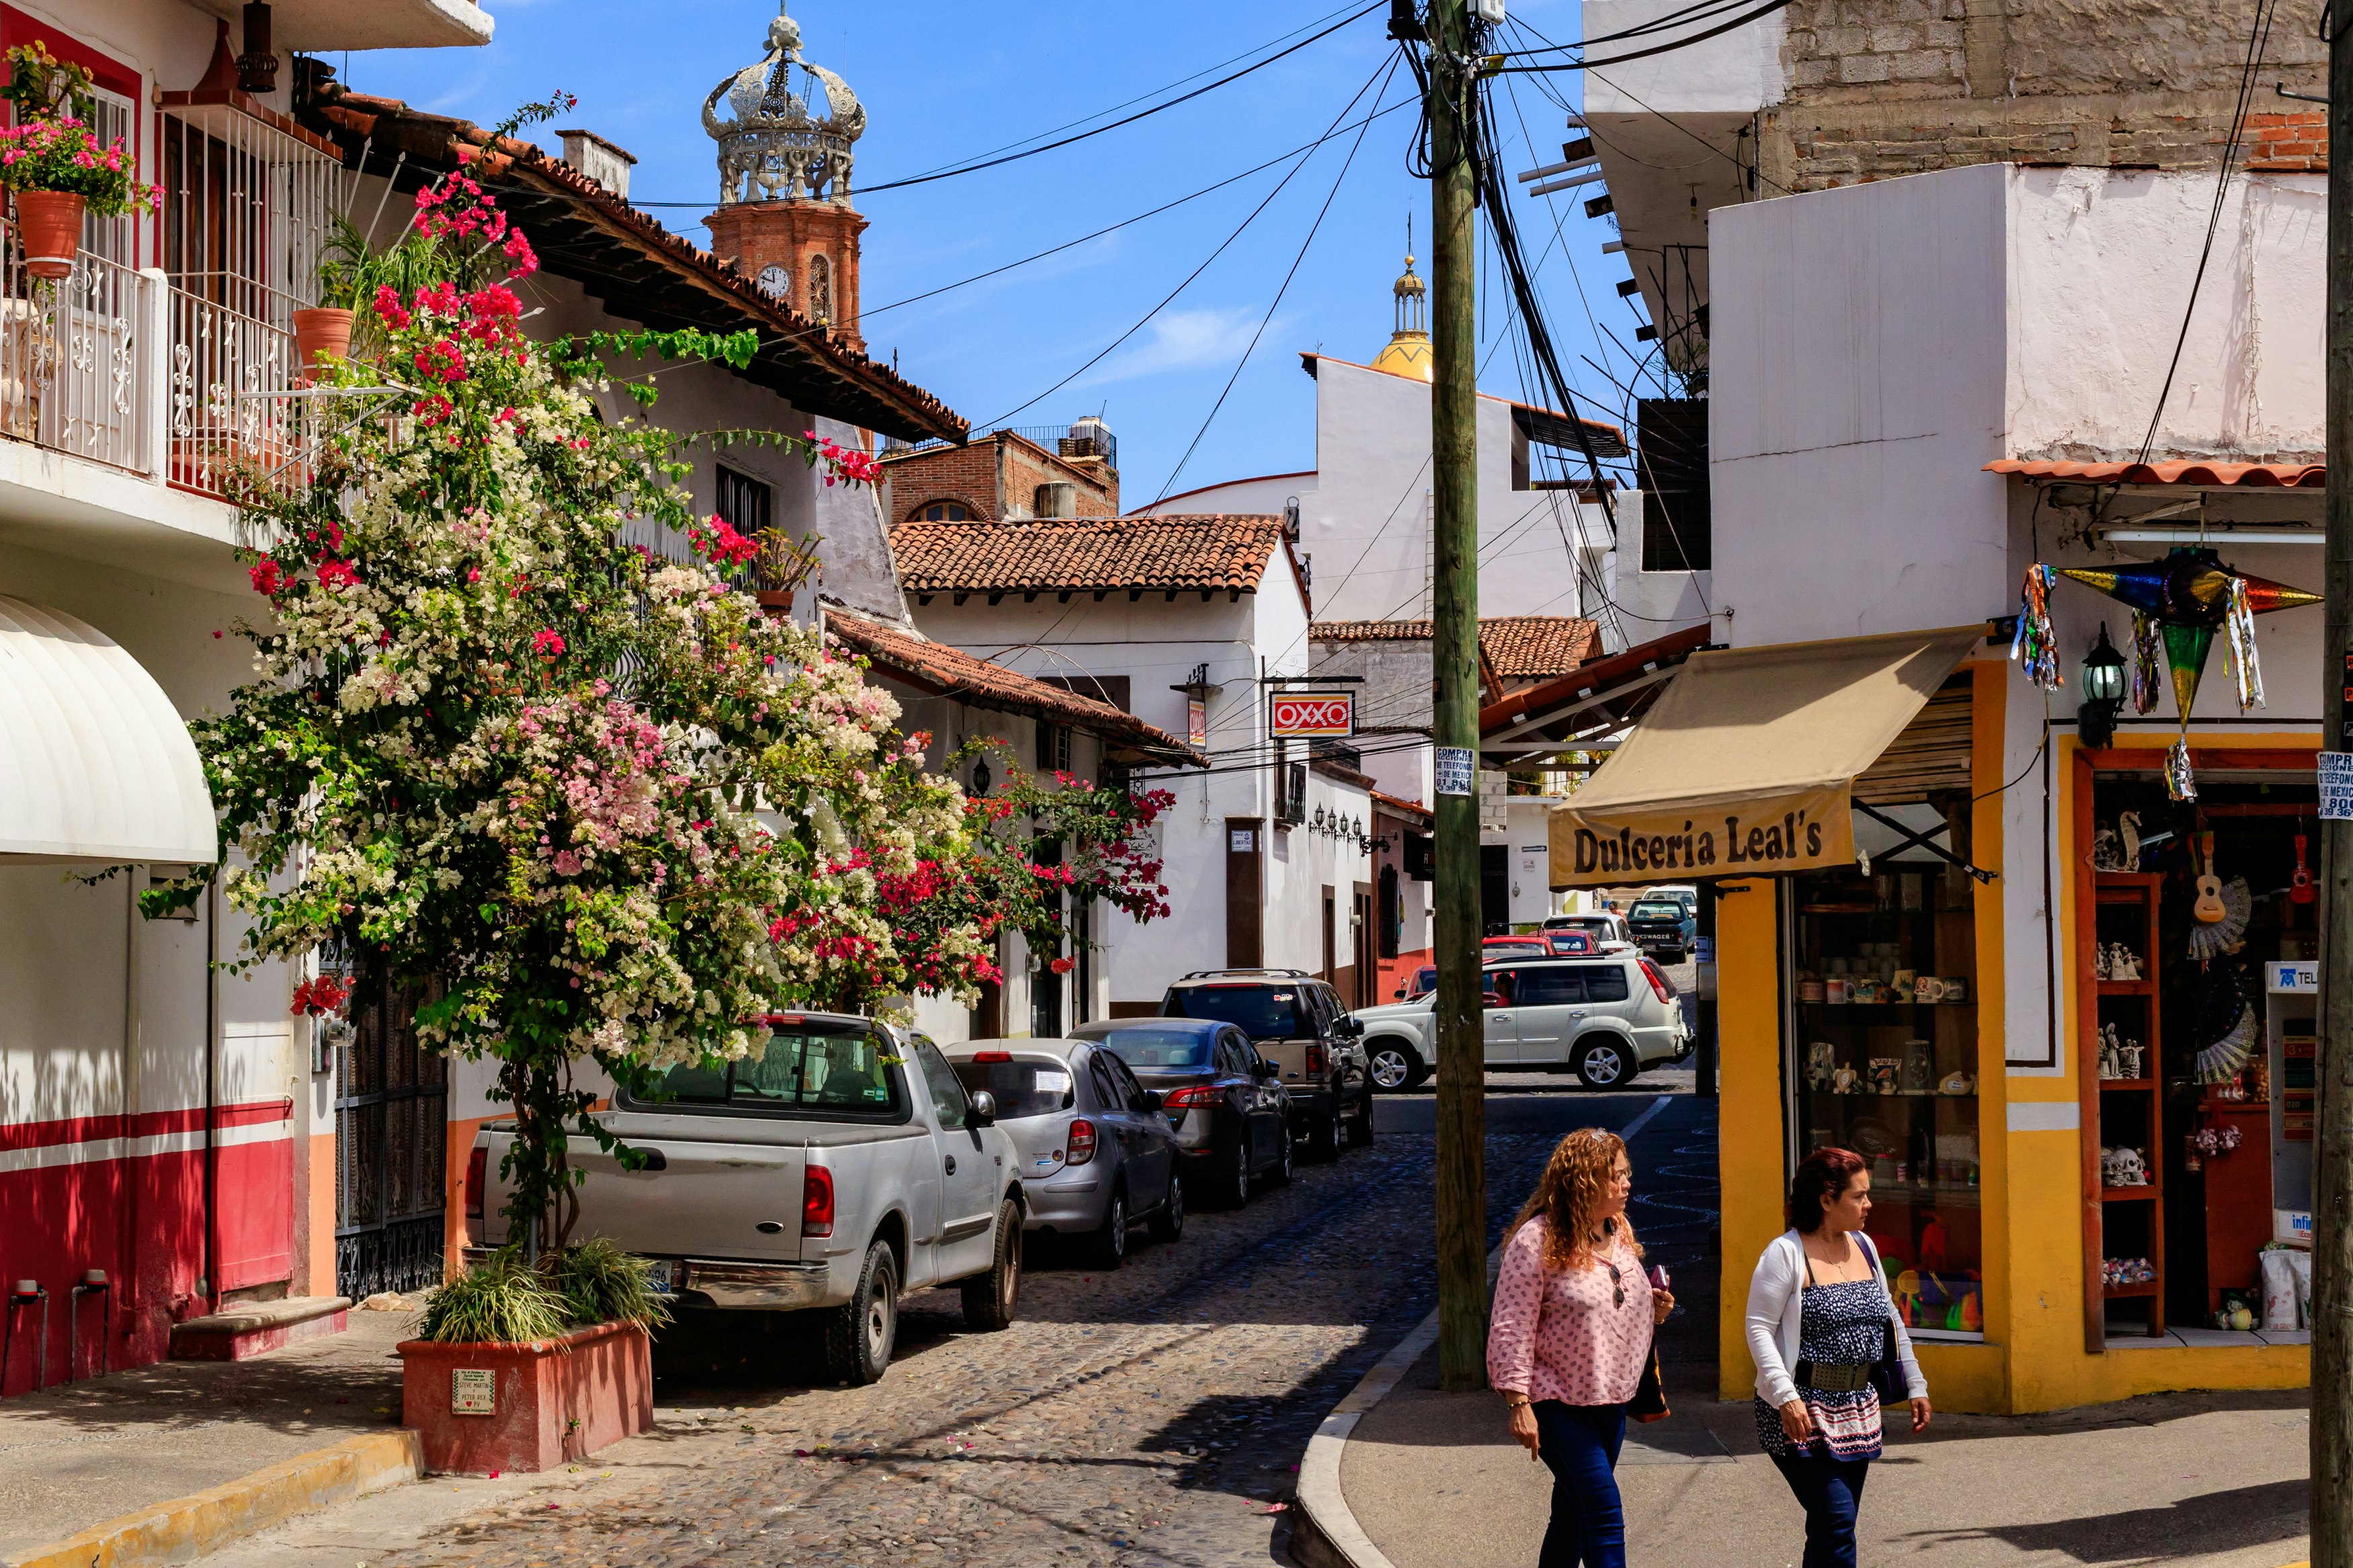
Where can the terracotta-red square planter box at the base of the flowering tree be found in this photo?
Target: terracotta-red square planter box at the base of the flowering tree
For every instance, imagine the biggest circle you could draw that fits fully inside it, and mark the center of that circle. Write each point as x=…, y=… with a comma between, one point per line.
x=528, y=1407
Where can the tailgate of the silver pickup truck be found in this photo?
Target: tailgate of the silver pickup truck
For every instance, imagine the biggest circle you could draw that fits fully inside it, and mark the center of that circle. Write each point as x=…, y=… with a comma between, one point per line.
x=709, y=1191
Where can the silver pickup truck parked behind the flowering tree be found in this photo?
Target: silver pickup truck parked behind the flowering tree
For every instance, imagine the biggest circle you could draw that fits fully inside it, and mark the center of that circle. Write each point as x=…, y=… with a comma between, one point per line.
x=844, y=1167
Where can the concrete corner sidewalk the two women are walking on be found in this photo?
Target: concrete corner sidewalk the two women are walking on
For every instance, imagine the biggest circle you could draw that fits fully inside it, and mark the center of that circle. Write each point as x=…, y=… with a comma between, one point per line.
x=2215, y=1480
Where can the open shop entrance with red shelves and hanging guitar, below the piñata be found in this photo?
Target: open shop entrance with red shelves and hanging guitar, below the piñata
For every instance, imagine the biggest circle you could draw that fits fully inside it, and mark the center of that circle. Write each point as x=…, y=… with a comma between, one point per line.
x=2197, y=1050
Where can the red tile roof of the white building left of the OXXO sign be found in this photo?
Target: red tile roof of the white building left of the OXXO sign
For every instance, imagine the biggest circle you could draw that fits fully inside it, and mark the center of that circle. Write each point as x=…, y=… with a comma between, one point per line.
x=1088, y=554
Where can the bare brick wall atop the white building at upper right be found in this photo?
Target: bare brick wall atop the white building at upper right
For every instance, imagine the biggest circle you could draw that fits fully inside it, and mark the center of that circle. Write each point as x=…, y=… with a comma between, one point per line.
x=1884, y=88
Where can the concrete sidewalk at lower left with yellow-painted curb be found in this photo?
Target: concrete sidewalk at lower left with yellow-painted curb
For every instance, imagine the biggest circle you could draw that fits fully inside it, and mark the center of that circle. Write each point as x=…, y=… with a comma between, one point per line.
x=91, y=1452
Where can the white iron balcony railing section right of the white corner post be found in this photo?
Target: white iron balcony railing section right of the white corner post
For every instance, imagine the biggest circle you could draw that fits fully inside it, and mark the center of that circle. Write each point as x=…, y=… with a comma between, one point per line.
x=236, y=415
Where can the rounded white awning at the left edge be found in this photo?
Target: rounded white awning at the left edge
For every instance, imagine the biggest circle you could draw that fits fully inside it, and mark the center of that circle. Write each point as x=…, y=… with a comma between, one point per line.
x=95, y=763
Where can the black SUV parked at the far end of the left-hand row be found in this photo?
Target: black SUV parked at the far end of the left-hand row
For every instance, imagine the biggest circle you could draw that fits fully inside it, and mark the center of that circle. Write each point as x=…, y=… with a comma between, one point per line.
x=1298, y=1024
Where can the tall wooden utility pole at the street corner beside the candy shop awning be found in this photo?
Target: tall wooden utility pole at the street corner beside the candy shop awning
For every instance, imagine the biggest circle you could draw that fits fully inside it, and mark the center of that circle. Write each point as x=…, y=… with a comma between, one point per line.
x=1462, y=1033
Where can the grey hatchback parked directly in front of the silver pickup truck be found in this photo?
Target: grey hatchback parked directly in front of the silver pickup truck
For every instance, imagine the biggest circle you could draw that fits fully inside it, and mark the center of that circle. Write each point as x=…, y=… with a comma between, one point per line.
x=1095, y=1148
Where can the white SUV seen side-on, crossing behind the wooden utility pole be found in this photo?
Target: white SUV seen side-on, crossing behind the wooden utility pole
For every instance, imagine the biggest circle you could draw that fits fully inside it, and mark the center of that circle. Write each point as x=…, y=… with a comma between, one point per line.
x=1601, y=1019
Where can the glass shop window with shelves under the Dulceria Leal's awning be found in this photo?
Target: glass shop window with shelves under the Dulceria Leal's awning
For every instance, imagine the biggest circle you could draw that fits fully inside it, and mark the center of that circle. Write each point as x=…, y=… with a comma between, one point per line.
x=1884, y=1061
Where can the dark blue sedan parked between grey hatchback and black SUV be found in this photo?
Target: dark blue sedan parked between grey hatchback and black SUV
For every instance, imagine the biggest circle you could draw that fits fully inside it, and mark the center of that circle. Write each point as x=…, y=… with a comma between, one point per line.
x=1225, y=1101
